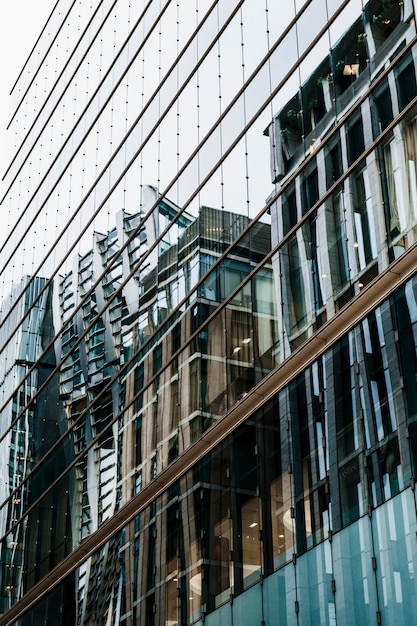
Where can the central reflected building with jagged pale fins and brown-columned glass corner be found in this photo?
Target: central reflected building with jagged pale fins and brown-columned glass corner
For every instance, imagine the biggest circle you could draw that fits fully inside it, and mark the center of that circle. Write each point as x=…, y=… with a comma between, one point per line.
x=123, y=349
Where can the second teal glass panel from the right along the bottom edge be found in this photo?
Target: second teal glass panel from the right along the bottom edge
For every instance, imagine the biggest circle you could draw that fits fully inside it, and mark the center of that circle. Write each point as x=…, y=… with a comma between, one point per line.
x=356, y=598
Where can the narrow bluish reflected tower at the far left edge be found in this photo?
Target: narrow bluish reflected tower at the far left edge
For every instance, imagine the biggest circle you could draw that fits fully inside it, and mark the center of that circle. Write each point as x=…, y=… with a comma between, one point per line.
x=29, y=420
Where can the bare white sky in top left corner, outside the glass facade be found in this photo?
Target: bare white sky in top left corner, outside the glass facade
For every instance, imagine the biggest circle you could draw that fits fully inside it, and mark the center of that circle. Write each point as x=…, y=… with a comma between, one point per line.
x=21, y=22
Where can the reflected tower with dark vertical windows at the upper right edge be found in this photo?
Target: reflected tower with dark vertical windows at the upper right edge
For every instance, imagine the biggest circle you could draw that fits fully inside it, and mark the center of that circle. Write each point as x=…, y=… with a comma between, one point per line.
x=368, y=220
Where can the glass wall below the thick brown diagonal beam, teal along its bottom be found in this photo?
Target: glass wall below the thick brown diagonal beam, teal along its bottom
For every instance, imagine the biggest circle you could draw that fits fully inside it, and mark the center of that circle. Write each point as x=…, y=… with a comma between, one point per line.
x=275, y=508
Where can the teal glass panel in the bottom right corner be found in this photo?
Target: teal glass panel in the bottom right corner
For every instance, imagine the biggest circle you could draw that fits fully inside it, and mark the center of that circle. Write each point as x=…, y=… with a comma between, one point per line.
x=394, y=529
